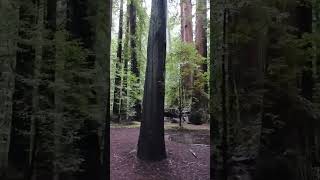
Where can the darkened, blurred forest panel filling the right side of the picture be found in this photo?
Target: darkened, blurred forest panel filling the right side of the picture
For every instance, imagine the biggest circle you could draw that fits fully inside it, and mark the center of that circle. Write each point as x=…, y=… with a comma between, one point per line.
x=265, y=89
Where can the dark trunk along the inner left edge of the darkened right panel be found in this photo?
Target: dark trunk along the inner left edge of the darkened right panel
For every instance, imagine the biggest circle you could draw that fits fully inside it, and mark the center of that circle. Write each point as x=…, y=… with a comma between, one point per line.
x=216, y=43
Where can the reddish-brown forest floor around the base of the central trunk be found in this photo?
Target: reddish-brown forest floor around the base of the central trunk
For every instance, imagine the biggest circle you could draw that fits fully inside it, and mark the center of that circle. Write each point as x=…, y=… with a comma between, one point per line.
x=188, y=153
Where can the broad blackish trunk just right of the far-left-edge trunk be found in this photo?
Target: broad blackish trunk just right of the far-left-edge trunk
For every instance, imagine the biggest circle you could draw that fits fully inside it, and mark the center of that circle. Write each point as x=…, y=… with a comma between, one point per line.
x=22, y=98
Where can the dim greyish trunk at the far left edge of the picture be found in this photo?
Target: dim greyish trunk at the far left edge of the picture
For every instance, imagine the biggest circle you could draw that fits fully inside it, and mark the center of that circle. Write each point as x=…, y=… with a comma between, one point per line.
x=8, y=31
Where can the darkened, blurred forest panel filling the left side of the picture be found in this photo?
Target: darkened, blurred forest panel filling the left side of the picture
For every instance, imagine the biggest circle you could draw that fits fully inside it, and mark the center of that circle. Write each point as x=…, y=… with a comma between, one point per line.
x=55, y=85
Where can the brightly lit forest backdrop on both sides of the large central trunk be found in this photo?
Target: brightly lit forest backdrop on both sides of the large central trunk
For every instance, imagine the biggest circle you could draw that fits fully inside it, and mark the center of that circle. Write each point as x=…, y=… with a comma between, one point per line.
x=185, y=56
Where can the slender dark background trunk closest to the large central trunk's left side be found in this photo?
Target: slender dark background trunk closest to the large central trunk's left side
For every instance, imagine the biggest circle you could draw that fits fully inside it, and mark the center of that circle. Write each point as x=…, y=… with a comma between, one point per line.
x=134, y=61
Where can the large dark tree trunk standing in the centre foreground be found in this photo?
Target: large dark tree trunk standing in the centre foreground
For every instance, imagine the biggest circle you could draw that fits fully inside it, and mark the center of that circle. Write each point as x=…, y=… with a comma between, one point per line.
x=151, y=144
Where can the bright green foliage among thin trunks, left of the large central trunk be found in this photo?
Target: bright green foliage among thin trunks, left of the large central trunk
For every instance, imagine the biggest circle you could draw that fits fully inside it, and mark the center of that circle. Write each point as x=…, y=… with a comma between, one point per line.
x=134, y=86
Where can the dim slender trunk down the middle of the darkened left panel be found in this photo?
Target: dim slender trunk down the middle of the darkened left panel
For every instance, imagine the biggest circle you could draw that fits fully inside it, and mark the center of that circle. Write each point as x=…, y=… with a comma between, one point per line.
x=57, y=11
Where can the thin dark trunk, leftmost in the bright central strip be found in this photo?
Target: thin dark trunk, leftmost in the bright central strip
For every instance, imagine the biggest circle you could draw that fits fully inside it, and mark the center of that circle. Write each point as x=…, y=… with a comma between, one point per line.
x=117, y=89
